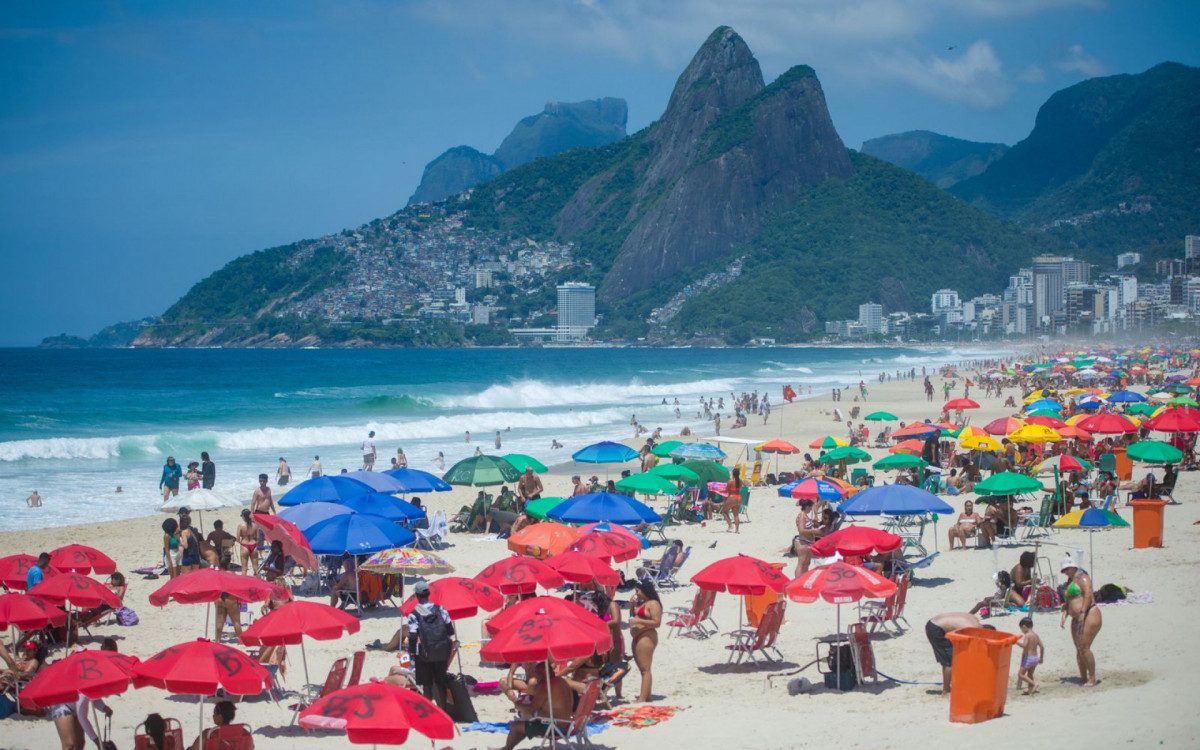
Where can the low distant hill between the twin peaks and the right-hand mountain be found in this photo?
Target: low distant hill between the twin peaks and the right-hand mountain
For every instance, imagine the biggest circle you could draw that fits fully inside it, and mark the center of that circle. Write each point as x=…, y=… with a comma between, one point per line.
x=941, y=160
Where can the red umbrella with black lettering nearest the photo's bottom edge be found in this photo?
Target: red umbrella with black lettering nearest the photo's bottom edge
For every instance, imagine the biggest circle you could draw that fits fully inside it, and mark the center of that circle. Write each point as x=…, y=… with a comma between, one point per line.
x=379, y=713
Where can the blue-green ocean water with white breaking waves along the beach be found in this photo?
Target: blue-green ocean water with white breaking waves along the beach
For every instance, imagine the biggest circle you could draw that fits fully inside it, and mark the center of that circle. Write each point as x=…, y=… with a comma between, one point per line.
x=77, y=424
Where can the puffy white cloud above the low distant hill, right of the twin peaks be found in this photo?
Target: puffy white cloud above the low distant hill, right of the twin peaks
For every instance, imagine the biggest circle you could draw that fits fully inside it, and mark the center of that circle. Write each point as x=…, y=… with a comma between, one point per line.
x=975, y=77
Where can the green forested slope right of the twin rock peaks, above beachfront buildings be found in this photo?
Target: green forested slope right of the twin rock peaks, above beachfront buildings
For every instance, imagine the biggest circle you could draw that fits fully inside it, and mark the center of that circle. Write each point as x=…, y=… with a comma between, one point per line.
x=884, y=236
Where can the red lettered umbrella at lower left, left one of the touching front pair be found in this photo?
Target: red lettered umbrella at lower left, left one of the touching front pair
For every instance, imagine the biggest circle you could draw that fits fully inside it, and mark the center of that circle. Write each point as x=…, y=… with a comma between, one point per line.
x=92, y=674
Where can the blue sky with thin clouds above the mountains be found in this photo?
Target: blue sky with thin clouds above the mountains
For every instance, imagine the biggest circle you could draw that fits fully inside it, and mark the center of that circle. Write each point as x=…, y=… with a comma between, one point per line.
x=146, y=145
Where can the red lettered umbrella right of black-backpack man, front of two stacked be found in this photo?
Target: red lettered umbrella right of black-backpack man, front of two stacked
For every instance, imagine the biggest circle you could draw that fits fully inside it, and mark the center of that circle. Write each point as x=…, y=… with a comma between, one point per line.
x=541, y=637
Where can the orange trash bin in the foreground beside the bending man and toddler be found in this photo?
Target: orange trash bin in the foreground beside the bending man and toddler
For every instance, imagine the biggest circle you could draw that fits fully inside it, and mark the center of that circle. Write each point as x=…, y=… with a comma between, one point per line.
x=980, y=674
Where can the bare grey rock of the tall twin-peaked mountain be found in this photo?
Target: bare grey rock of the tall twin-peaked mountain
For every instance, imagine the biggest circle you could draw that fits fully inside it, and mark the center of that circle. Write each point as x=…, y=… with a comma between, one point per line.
x=725, y=154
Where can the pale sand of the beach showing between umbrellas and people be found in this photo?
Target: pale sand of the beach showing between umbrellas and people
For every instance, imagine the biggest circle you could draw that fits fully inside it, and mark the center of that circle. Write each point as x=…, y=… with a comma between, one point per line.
x=1147, y=663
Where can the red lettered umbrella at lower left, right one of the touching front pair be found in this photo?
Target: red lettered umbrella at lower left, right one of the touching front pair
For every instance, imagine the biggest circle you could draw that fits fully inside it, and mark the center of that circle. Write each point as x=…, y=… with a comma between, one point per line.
x=200, y=668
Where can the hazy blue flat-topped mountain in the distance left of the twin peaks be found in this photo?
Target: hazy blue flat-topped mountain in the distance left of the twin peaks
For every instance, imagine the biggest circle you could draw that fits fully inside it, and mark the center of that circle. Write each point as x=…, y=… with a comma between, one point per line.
x=560, y=128
